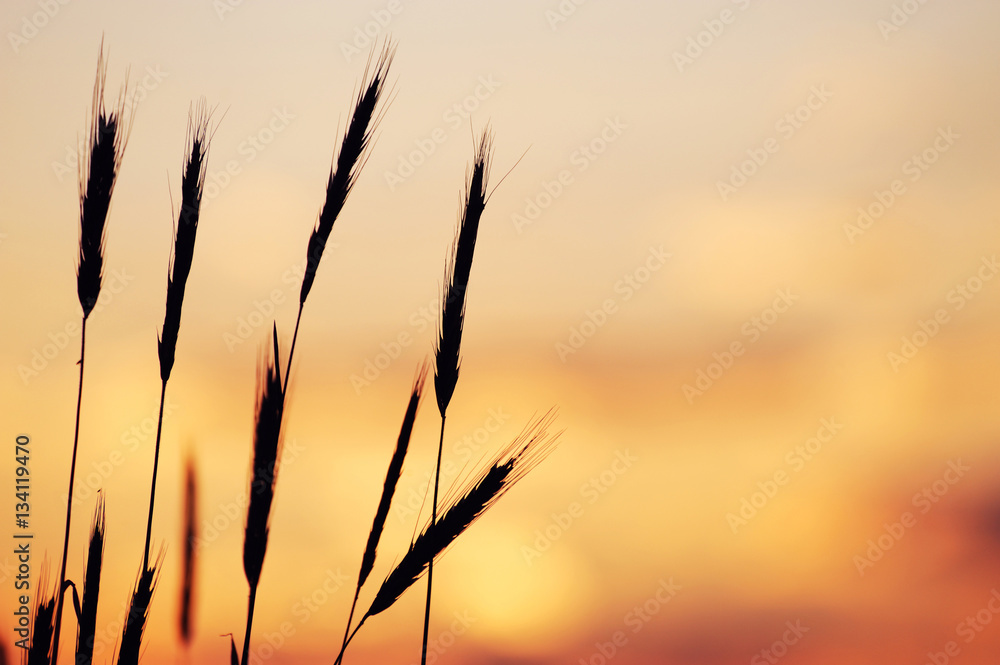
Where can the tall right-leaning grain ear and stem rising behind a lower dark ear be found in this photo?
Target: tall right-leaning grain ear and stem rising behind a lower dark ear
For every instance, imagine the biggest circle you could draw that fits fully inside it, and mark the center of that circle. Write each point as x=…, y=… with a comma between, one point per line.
x=351, y=158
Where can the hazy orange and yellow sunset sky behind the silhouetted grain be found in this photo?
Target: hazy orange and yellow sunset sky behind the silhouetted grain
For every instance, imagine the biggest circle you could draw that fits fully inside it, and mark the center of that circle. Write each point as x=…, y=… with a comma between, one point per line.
x=748, y=249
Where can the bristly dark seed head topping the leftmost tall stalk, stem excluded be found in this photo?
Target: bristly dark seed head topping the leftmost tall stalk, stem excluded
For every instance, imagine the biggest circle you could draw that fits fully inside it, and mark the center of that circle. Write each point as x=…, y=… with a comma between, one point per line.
x=102, y=158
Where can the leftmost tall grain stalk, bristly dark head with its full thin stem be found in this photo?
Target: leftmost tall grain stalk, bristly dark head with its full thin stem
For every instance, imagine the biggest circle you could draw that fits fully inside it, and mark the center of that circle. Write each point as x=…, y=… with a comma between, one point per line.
x=102, y=157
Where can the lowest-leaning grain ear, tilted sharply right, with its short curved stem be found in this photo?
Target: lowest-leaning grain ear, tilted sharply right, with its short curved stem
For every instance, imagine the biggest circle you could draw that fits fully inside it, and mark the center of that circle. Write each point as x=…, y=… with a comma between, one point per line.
x=463, y=508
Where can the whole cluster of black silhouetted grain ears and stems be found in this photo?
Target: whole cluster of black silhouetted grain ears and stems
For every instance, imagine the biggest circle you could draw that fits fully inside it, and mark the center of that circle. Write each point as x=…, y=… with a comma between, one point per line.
x=450, y=517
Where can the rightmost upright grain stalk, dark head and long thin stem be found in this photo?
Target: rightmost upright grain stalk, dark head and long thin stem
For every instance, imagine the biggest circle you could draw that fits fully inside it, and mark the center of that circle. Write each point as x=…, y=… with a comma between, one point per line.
x=447, y=352
